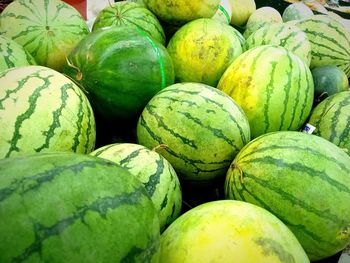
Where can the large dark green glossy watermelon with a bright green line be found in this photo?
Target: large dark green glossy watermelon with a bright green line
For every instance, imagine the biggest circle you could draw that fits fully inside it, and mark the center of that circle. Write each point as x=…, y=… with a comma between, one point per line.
x=121, y=69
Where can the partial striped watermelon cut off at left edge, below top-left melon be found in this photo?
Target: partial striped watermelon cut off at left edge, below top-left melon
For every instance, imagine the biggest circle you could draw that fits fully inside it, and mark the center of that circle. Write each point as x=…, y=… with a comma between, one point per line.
x=13, y=55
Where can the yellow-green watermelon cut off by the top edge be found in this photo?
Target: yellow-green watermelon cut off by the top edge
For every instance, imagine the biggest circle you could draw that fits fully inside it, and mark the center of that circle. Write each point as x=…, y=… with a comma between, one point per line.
x=179, y=12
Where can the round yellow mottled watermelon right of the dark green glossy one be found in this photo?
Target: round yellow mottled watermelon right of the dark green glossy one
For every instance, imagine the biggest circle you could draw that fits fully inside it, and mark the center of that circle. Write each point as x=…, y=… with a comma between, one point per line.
x=202, y=49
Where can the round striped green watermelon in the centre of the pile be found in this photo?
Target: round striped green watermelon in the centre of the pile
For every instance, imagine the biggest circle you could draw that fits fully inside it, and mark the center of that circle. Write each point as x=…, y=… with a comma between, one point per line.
x=203, y=129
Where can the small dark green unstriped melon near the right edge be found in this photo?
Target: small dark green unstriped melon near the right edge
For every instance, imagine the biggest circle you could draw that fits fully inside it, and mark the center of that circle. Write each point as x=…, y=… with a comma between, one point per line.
x=328, y=80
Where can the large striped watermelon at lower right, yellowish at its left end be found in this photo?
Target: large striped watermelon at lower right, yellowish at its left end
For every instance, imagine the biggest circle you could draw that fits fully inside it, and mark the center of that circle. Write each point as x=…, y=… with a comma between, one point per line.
x=302, y=179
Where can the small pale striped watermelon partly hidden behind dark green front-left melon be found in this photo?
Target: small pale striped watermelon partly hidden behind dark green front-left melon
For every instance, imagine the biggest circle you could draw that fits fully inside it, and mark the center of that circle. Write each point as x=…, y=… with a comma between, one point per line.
x=156, y=174
